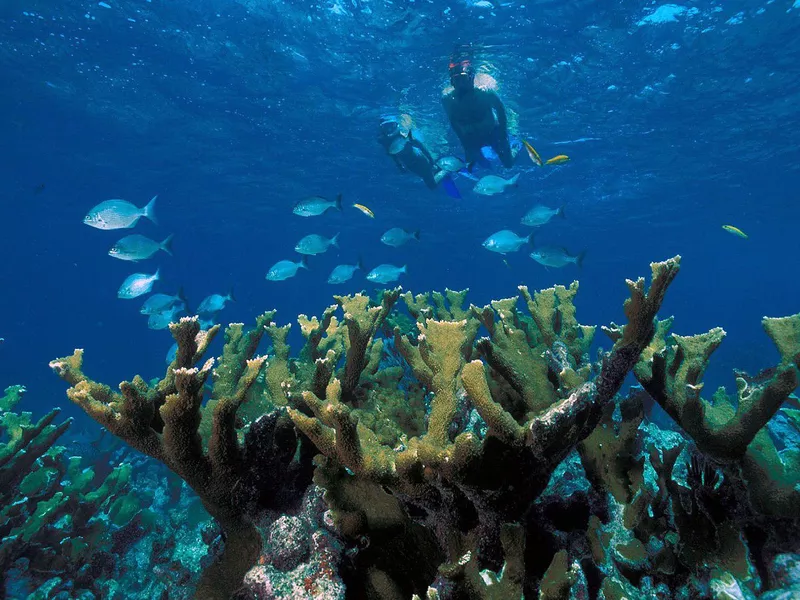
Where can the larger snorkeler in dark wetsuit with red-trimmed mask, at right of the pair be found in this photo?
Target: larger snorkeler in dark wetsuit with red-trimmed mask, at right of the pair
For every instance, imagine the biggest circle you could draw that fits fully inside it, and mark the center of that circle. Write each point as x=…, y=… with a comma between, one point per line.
x=477, y=116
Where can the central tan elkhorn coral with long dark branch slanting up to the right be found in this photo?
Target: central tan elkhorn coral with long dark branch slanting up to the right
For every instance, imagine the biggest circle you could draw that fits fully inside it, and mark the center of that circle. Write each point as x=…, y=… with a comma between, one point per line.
x=454, y=478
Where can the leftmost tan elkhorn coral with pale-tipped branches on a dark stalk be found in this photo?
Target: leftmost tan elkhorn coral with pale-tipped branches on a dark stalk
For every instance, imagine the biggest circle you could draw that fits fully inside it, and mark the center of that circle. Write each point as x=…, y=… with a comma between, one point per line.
x=163, y=421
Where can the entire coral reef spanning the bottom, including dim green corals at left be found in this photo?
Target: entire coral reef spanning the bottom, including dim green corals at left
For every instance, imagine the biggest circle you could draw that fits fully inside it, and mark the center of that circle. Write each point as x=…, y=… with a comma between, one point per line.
x=435, y=451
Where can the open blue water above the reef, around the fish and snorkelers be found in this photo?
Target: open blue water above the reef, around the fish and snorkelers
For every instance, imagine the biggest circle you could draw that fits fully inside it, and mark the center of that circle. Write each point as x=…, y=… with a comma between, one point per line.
x=231, y=112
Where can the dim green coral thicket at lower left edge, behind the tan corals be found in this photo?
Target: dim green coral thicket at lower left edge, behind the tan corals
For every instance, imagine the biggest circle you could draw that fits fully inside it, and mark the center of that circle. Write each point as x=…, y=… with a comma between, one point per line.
x=62, y=526
